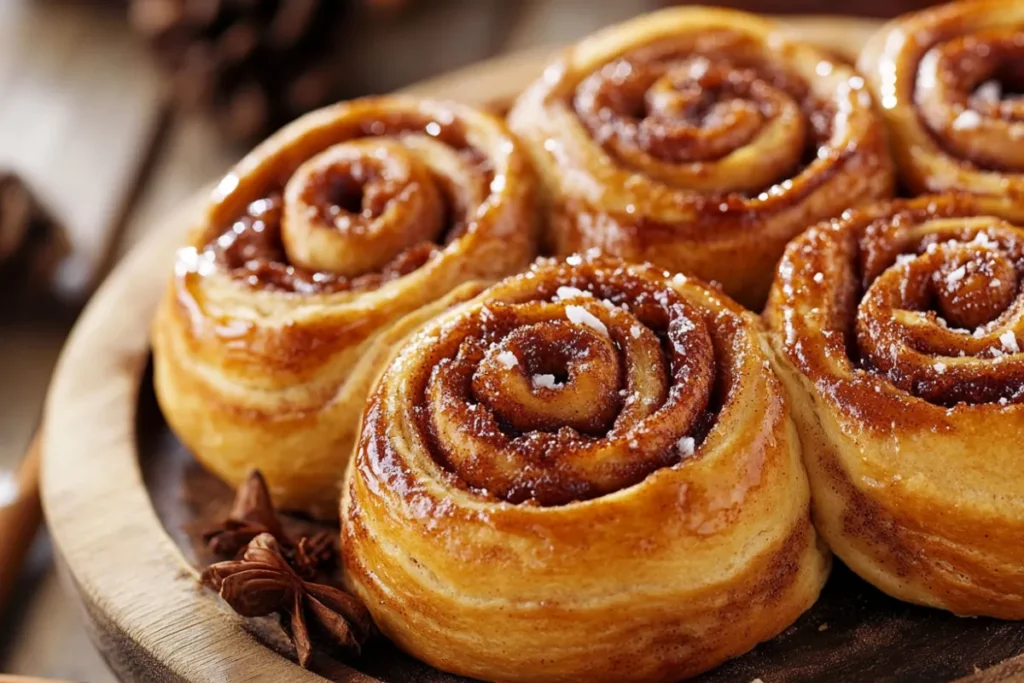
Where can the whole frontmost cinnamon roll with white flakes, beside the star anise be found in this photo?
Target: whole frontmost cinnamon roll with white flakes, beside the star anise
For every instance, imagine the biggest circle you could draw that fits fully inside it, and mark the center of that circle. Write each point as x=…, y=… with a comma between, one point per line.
x=588, y=473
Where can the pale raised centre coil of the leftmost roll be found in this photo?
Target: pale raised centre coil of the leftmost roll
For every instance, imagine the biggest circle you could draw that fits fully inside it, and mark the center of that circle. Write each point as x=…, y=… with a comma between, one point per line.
x=353, y=208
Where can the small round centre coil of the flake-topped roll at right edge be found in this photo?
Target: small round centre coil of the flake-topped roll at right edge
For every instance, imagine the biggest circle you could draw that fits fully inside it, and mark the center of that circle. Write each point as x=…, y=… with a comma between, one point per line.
x=973, y=286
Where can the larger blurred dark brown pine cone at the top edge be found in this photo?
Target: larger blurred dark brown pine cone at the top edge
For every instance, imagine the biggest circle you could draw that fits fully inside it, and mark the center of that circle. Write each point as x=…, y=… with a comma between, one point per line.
x=254, y=65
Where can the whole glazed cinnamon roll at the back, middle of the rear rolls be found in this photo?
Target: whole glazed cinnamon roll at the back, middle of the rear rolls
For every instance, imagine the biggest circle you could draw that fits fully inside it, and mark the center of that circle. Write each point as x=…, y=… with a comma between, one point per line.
x=701, y=141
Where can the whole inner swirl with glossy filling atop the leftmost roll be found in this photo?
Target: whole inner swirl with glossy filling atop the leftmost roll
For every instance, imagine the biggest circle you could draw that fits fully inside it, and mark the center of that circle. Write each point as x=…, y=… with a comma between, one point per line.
x=365, y=211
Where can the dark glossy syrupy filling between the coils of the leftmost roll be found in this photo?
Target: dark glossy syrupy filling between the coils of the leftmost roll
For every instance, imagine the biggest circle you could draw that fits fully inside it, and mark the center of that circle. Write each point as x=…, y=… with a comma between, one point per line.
x=251, y=248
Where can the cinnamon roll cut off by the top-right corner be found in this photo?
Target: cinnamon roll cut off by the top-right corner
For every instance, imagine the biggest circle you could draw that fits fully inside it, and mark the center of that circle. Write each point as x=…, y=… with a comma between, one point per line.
x=949, y=81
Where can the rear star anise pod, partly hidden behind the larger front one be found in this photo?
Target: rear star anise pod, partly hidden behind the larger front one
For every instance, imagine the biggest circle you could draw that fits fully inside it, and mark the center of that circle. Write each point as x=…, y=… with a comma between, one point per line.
x=253, y=514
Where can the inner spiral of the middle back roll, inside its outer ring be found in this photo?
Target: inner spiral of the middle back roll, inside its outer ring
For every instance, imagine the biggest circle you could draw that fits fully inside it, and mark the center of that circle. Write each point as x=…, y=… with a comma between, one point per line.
x=691, y=119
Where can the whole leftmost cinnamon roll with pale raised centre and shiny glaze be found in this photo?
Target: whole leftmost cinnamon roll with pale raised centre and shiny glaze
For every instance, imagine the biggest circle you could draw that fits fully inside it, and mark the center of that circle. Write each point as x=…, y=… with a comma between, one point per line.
x=291, y=289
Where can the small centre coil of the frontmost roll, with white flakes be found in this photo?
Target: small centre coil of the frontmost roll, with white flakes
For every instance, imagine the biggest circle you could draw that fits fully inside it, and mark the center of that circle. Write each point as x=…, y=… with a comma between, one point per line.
x=550, y=375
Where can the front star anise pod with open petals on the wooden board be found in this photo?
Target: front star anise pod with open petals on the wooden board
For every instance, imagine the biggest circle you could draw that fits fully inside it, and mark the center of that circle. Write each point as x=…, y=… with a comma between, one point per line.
x=264, y=583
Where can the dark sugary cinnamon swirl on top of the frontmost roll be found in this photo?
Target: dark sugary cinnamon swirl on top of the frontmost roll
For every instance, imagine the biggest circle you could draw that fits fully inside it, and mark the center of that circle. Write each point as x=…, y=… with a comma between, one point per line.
x=515, y=451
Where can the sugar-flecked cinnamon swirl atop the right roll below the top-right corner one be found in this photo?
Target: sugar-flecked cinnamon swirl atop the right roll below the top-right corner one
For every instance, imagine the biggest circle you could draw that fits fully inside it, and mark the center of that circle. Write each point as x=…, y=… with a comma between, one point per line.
x=942, y=307
